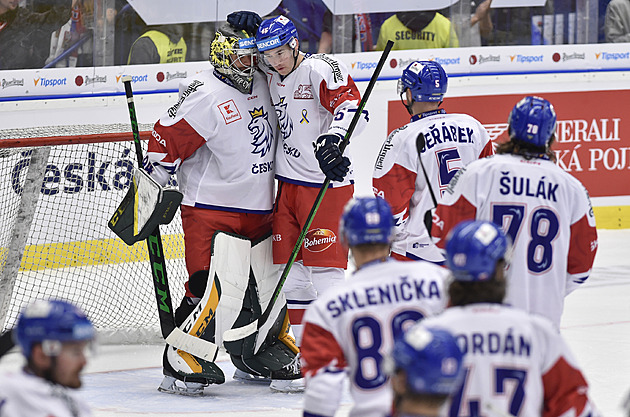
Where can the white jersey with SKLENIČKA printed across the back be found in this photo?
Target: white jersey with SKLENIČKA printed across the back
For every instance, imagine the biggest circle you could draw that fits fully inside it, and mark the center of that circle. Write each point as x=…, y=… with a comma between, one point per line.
x=349, y=328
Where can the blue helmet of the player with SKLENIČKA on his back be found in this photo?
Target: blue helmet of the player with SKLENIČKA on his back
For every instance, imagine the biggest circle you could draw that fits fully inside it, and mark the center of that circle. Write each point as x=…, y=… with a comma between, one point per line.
x=367, y=220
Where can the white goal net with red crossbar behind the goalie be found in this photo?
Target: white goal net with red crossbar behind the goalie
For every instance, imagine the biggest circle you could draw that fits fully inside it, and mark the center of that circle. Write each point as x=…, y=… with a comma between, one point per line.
x=60, y=185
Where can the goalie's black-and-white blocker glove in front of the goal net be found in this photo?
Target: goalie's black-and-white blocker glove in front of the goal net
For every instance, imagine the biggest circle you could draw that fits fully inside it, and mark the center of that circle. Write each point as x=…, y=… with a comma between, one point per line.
x=145, y=206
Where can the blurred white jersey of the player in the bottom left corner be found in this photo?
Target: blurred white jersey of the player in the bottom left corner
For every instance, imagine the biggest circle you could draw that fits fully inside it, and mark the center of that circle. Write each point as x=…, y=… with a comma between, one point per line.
x=26, y=395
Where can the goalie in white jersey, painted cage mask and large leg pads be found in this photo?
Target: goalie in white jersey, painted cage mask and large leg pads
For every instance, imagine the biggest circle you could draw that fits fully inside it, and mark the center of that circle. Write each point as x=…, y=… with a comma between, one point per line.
x=220, y=140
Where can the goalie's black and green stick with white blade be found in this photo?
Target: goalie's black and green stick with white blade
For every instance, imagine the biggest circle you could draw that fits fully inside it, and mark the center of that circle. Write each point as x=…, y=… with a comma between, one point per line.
x=172, y=334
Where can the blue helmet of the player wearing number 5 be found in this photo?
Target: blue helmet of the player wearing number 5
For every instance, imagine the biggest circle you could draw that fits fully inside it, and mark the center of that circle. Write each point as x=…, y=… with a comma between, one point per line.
x=427, y=81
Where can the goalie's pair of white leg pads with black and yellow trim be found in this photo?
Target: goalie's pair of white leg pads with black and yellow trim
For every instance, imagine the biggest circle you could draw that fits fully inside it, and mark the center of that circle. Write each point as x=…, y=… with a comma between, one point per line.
x=234, y=292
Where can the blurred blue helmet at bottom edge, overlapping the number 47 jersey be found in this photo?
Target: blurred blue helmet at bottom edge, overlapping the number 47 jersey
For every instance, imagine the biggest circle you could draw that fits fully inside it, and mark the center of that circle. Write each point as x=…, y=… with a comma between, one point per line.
x=431, y=359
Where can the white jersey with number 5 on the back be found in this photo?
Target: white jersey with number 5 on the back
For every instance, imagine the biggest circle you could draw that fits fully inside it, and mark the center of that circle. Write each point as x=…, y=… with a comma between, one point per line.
x=451, y=141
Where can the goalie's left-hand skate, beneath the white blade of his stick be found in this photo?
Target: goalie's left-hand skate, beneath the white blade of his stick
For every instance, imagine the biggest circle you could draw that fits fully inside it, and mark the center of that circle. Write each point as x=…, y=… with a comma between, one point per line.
x=185, y=374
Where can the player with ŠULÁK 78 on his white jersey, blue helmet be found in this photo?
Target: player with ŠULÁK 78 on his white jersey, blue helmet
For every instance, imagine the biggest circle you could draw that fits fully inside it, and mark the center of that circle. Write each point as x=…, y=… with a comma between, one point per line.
x=546, y=211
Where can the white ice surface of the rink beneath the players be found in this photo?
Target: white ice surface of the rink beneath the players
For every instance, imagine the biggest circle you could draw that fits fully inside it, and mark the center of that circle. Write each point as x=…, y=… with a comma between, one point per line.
x=122, y=380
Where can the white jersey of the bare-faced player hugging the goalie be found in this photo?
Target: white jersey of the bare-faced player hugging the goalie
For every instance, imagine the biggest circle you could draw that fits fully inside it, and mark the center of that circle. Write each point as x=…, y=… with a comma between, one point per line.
x=319, y=96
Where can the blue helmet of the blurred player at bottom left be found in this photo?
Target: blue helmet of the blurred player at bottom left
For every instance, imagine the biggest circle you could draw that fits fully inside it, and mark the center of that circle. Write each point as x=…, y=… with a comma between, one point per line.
x=53, y=320
